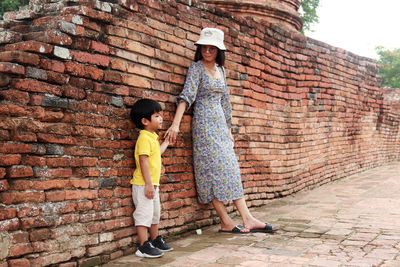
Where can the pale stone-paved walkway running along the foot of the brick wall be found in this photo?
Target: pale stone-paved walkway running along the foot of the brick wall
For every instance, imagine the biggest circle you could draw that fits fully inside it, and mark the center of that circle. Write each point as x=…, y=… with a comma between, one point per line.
x=351, y=222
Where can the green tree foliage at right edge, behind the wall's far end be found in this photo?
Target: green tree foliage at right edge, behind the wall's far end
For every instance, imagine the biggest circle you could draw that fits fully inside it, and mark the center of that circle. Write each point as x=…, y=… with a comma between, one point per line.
x=389, y=66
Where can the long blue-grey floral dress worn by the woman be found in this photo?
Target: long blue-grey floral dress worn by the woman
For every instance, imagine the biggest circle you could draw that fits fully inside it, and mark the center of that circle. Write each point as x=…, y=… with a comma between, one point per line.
x=216, y=167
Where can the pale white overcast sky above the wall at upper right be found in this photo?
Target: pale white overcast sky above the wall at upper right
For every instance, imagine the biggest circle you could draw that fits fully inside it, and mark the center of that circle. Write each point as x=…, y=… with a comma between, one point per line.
x=358, y=25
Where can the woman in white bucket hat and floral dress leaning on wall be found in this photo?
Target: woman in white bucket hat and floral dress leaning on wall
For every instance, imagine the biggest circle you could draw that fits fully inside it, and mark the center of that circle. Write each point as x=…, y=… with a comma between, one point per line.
x=216, y=167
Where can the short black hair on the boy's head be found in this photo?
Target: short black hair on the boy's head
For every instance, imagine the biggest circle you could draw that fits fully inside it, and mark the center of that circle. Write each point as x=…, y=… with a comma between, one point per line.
x=144, y=108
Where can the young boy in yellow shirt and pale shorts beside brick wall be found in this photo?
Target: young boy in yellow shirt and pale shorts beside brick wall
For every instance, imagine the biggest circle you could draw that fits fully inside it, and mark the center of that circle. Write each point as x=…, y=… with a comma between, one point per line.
x=146, y=115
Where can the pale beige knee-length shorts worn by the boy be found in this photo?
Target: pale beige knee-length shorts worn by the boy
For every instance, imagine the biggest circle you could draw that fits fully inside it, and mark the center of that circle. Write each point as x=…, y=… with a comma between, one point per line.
x=147, y=211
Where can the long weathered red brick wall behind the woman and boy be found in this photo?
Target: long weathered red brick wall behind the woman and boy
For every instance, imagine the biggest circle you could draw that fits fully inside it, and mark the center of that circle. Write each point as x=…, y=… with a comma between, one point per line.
x=305, y=113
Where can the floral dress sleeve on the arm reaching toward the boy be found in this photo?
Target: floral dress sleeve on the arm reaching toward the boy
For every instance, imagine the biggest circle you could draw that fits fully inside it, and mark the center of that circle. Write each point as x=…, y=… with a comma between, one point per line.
x=191, y=86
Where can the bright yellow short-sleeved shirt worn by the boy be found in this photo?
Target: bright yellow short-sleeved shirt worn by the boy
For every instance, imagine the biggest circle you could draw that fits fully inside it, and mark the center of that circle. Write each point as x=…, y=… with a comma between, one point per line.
x=147, y=144
